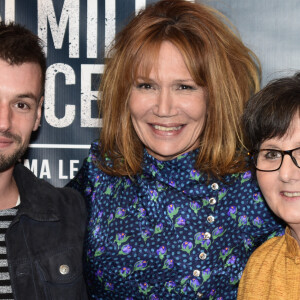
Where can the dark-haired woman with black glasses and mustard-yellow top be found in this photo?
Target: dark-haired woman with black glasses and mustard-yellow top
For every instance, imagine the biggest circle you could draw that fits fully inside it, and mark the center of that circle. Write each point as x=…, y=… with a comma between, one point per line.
x=272, y=122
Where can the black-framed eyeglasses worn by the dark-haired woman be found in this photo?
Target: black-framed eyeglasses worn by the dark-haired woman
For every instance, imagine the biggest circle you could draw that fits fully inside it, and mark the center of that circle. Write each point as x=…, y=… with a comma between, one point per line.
x=269, y=160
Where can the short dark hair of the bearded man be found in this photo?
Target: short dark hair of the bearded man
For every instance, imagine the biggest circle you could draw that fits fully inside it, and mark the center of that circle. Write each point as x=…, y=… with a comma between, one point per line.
x=19, y=45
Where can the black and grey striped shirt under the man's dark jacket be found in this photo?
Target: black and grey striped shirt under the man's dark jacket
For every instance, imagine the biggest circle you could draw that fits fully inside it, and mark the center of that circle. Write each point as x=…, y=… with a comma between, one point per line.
x=6, y=217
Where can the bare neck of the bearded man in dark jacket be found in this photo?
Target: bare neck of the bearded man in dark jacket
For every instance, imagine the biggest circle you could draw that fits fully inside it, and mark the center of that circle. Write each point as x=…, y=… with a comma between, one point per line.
x=8, y=189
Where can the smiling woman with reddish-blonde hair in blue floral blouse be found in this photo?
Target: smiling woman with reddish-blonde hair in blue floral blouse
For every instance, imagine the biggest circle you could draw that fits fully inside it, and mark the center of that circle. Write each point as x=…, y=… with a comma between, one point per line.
x=173, y=211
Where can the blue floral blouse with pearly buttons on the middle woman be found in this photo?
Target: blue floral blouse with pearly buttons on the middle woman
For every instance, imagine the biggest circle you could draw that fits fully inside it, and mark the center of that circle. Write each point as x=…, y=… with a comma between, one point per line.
x=168, y=233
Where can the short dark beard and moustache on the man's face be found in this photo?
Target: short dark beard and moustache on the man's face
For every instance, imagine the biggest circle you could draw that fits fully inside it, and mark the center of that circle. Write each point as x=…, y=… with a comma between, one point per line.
x=7, y=161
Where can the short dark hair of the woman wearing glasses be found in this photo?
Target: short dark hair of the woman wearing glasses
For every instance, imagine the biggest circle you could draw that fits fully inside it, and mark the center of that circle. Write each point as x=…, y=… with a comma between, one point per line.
x=268, y=113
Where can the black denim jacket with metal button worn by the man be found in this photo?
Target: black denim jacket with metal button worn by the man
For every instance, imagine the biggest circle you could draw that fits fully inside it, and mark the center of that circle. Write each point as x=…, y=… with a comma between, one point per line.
x=44, y=241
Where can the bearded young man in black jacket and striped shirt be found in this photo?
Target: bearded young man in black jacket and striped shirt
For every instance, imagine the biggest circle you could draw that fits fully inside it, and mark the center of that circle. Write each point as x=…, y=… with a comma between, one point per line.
x=41, y=227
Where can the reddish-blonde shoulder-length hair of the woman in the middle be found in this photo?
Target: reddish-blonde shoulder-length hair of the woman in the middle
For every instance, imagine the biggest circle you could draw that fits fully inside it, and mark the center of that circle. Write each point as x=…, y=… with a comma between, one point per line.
x=216, y=58
